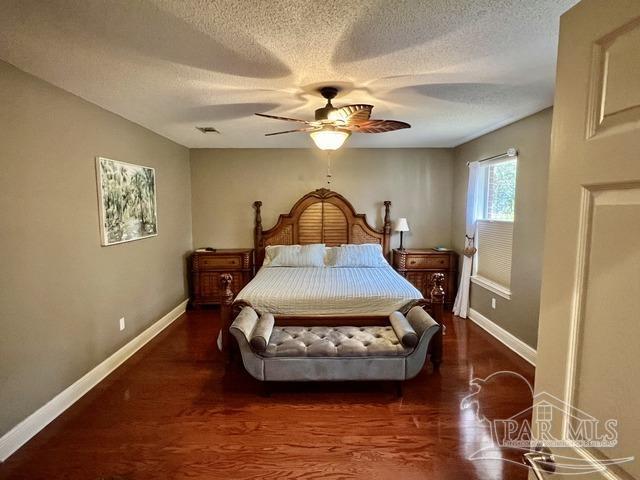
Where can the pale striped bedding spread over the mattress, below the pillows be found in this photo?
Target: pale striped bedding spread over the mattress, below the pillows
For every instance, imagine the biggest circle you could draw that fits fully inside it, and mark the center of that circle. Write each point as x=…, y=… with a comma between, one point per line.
x=328, y=291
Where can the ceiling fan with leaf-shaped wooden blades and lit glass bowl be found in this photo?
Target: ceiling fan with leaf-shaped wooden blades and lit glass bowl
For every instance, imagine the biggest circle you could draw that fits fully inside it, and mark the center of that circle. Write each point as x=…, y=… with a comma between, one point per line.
x=333, y=126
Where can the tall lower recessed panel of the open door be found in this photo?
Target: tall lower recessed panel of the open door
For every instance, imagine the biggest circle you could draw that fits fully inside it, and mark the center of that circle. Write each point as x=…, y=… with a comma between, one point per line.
x=609, y=327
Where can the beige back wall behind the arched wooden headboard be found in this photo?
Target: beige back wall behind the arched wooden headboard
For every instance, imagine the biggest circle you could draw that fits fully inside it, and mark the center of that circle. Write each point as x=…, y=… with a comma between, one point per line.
x=226, y=182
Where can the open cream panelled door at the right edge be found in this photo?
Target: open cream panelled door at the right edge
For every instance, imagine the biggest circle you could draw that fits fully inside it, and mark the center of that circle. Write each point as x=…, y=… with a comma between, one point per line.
x=588, y=359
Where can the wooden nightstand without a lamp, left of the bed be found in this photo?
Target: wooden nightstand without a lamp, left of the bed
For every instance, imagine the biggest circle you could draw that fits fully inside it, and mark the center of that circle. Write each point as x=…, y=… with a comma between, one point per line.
x=205, y=270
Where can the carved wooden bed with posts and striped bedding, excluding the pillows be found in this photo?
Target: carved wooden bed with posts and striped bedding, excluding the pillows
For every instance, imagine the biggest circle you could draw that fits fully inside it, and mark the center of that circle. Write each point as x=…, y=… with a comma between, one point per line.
x=327, y=296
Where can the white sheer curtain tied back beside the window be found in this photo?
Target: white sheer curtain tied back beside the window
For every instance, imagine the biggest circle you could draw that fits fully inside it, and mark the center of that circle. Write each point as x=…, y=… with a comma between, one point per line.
x=461, y=305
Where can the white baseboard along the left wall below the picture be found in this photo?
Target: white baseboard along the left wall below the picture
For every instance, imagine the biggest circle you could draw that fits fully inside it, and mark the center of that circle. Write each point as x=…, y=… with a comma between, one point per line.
x=22, y=433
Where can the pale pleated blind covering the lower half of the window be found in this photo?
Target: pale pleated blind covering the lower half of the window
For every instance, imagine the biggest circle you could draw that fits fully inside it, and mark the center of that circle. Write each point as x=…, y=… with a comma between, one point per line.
x=494, y=243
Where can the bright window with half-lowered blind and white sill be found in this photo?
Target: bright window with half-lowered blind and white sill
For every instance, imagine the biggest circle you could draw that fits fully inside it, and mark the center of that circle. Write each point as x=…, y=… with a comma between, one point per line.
x=495, y=207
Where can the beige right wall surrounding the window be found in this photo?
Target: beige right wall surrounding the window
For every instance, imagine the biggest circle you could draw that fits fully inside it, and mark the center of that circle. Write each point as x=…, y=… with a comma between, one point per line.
x=531, y=136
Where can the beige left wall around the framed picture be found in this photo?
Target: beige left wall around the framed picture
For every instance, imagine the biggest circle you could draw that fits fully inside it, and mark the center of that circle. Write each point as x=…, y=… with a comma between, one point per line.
x=61, y=293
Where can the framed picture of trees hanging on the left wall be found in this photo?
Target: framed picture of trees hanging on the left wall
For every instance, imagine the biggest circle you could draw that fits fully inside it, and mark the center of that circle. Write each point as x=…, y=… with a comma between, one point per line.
x=127, y=198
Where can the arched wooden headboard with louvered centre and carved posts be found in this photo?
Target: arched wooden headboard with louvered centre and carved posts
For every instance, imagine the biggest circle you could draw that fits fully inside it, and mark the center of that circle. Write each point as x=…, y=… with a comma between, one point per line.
x=322, y=216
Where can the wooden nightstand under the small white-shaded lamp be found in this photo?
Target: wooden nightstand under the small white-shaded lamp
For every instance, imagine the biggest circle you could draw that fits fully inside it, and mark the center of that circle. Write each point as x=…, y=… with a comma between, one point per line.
x=418, y=265
